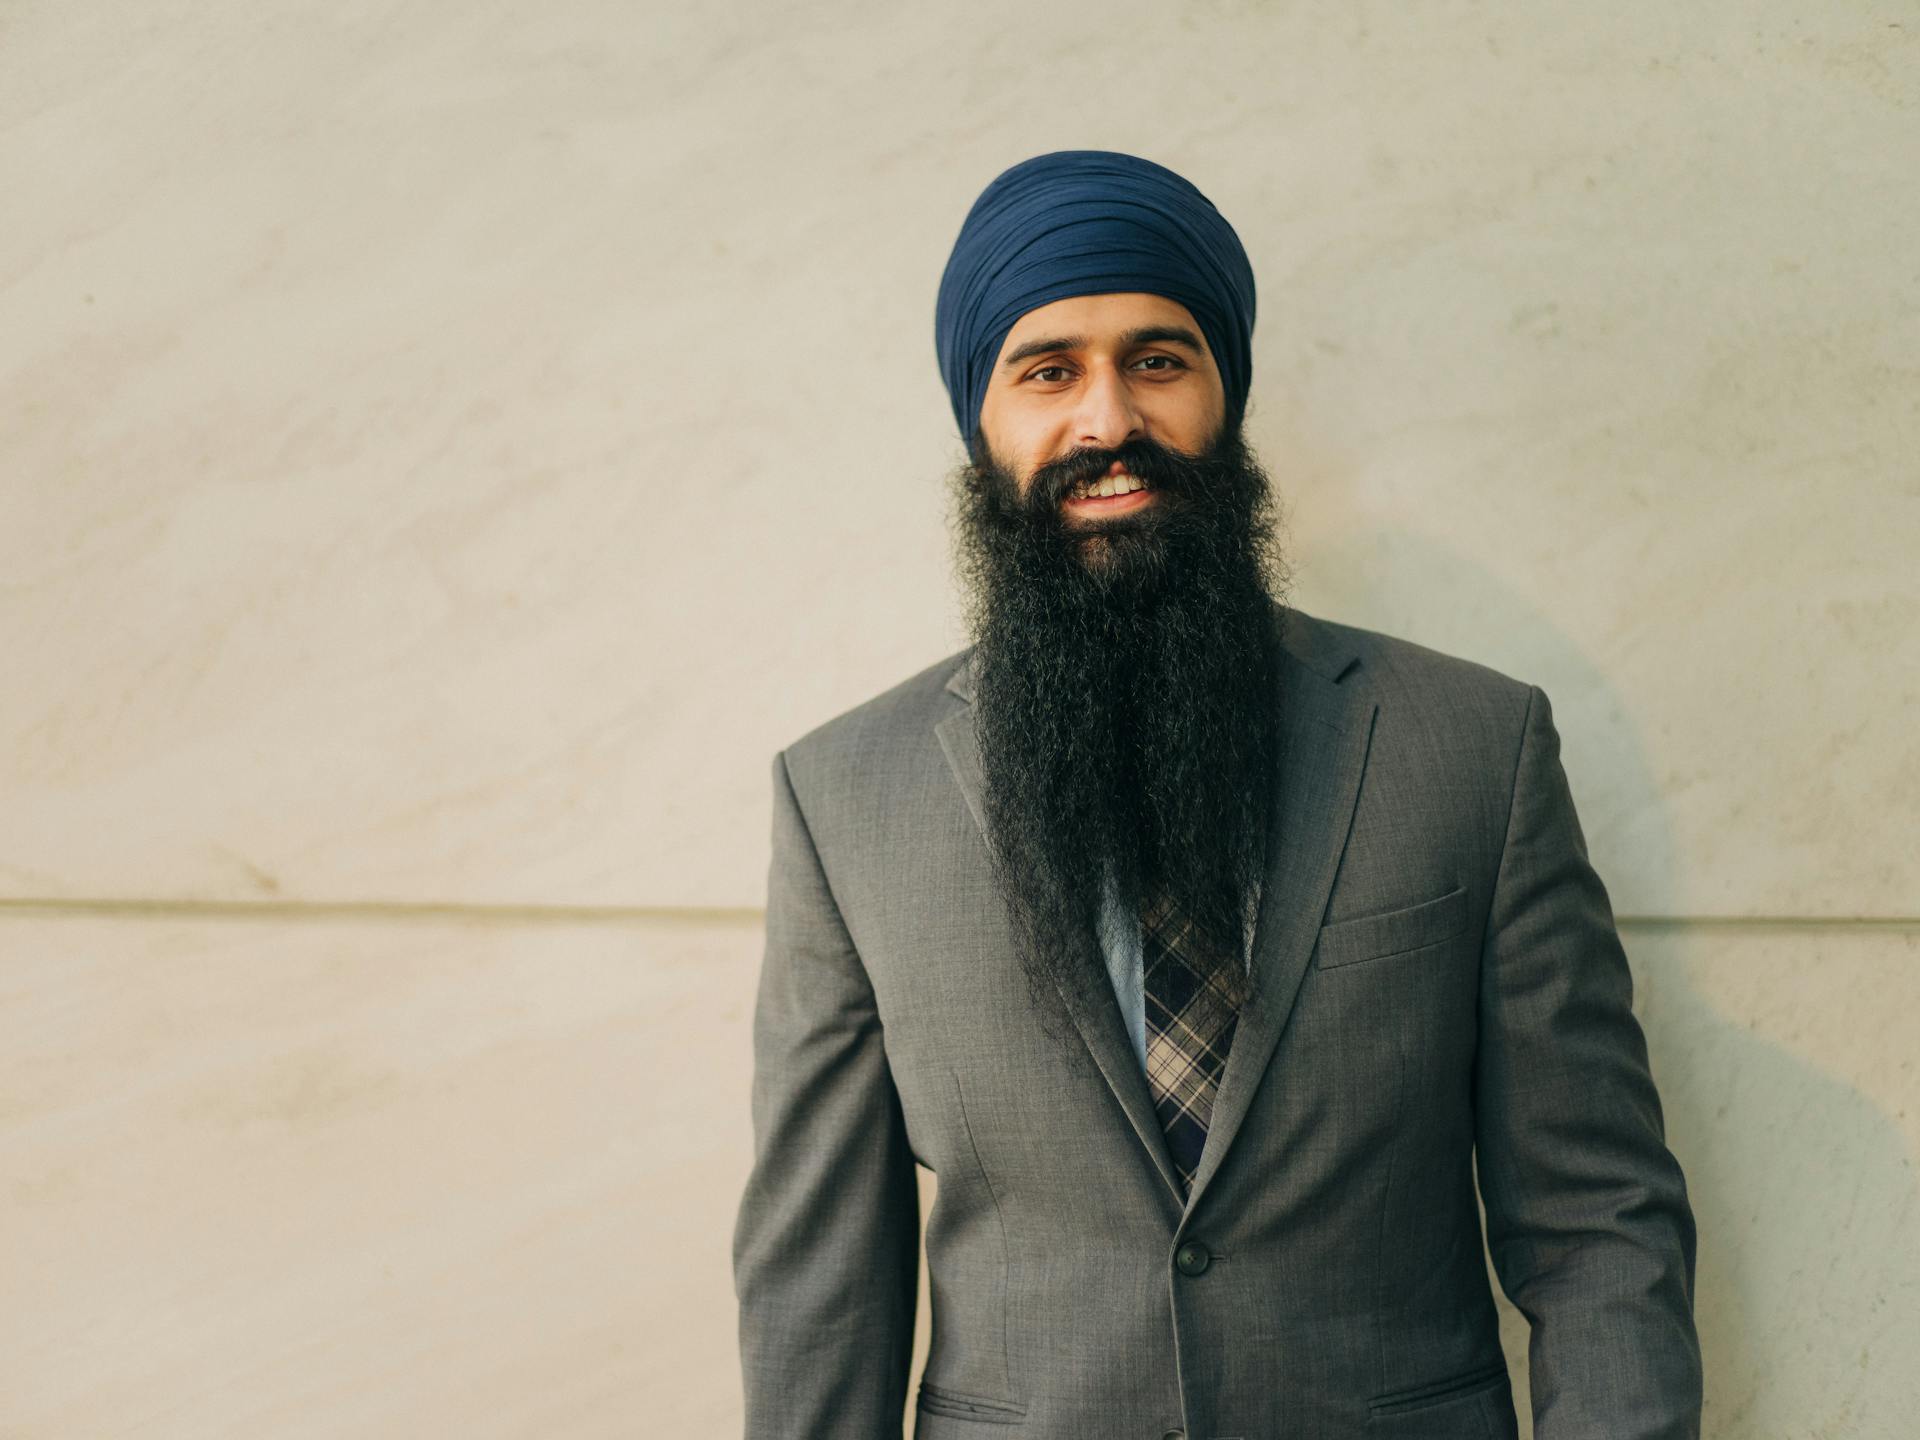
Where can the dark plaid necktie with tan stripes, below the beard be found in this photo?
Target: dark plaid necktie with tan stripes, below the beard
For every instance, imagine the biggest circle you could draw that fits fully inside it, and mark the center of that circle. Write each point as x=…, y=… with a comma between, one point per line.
x=1189, y=1028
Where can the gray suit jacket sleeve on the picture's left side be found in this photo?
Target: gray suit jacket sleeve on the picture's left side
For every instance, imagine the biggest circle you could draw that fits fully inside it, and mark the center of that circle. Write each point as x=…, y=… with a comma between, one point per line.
x=827, y=1243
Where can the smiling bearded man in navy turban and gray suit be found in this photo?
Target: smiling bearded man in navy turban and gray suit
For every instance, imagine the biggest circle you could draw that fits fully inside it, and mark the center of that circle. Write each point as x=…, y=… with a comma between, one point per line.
x=1199, y=946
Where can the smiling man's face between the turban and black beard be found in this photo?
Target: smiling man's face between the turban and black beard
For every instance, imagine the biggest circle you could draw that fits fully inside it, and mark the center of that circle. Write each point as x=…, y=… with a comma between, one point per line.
x=1092, y=373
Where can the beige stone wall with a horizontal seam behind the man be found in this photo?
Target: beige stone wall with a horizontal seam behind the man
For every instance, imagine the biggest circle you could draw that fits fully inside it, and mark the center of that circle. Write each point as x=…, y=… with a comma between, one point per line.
x=448, y=448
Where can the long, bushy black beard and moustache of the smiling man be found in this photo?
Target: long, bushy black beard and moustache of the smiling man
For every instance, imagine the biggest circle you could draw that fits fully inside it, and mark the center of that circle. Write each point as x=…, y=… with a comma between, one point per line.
x=1126, y=696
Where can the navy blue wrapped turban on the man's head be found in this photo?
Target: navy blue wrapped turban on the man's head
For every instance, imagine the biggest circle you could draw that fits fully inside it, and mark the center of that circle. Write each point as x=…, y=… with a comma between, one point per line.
x=1086, y=224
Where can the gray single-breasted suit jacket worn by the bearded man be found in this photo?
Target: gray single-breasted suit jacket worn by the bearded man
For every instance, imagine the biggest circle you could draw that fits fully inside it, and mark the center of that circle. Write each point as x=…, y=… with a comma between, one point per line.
x=1443, y=982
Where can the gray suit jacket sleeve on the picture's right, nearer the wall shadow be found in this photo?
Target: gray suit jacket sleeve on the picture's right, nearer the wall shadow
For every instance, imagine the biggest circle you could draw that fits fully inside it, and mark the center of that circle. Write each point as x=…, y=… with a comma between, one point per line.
x=1587, y=1211
